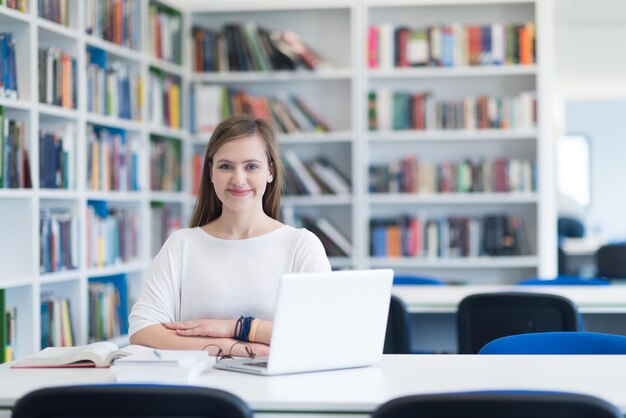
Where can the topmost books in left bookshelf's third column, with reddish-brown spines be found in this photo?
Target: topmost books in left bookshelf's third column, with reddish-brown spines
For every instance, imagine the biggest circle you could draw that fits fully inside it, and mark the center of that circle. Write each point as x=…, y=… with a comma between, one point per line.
x=117, y=21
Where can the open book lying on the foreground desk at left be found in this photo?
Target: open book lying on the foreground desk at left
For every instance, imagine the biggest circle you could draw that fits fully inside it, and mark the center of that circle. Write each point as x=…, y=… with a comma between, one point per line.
x=100, y=354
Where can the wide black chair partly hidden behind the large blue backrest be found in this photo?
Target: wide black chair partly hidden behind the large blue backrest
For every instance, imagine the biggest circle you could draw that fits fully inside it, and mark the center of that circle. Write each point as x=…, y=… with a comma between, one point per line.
x=483, y=317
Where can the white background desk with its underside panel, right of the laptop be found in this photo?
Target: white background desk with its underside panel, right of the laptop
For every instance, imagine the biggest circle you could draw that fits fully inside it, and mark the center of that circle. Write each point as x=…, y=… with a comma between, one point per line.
x=434, y=309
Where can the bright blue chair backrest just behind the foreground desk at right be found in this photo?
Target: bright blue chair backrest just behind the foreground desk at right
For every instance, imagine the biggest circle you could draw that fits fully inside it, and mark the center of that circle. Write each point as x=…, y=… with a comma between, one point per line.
x=557, y=343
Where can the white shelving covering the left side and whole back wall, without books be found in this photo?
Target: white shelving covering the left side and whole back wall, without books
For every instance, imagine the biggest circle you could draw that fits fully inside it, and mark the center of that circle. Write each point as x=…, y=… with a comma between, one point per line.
x=337, y=30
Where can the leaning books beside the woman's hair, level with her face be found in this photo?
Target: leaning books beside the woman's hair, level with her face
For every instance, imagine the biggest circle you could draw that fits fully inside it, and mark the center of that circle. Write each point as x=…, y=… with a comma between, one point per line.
x=314, y=178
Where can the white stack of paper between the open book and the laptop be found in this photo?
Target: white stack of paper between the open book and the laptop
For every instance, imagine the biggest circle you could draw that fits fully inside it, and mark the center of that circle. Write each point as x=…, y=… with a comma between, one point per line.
x=162, y=366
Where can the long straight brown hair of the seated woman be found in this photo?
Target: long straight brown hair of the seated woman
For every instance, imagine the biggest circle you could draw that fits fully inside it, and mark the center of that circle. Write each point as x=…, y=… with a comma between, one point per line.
x=208, y=206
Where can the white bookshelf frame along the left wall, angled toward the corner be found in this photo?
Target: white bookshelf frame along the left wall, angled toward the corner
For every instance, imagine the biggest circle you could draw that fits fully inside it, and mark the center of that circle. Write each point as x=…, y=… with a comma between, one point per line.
x=19, y=211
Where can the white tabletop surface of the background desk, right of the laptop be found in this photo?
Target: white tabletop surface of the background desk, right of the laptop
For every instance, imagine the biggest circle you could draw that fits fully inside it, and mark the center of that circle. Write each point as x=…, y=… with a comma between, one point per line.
x=445, y=299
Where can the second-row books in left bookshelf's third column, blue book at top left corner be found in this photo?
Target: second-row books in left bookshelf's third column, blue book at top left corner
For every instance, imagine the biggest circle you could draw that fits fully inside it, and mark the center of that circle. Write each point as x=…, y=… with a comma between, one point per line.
x=113, y=88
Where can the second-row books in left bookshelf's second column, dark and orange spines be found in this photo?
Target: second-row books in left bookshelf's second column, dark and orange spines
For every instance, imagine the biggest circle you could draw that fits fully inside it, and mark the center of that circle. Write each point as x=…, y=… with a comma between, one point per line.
x=58, y=78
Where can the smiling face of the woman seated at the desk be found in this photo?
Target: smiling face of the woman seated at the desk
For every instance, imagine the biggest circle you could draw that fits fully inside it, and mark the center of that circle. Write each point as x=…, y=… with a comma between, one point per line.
x=240, y=174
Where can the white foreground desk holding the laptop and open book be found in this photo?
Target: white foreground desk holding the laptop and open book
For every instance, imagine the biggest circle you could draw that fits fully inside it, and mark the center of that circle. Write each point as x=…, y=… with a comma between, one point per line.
x=357, y=392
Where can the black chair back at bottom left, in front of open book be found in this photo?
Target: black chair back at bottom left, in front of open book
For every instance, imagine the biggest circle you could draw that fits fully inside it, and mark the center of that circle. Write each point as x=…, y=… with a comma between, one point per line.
x=105, y=401
